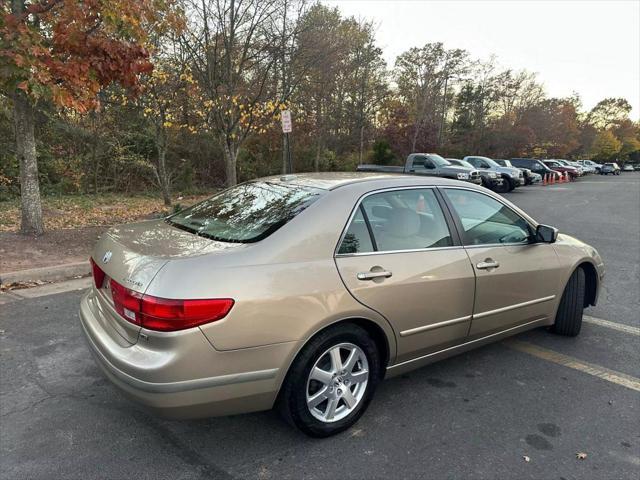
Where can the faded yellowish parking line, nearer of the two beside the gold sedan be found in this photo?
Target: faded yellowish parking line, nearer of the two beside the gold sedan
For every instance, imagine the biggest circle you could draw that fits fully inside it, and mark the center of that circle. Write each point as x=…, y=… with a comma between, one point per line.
x=585, y=367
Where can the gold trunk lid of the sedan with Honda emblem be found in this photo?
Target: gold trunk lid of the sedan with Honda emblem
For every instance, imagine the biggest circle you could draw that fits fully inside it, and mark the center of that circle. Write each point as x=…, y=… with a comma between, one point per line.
x=133, y=254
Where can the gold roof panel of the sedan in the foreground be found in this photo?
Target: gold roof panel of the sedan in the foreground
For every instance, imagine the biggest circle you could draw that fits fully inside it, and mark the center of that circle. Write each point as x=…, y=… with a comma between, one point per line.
x=333, y=180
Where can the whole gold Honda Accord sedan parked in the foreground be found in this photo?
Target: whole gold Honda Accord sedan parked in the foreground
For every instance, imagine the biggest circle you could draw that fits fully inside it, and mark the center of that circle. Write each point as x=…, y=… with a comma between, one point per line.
x=303, y=292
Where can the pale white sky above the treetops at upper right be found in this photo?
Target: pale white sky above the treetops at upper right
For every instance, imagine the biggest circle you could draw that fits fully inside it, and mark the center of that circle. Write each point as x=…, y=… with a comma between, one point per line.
x=591, y=47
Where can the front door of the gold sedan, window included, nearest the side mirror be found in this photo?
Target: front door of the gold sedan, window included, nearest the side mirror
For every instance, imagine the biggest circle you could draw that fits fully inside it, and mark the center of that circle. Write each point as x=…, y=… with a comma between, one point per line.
x=516, y=279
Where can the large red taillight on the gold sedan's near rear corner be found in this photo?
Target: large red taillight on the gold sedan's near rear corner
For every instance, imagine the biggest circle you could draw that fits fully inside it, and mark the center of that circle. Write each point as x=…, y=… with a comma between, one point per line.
x=167, y=315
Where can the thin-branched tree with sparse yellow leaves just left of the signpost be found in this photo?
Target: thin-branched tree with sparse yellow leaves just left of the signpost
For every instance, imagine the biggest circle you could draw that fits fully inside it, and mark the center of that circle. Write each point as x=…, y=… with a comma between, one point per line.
x=233, y=48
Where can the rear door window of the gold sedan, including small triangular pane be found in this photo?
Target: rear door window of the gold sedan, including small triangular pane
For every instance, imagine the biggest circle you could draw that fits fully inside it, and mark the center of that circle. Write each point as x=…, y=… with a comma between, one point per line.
x=401, y=220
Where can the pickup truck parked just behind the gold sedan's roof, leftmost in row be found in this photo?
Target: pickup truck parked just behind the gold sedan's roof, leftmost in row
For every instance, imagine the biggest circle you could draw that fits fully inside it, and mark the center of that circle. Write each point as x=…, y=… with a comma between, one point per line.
x=428, y=164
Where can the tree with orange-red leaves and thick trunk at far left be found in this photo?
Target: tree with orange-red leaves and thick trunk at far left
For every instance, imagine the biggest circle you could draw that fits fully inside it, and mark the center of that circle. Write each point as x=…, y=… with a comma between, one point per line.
x=65, y=52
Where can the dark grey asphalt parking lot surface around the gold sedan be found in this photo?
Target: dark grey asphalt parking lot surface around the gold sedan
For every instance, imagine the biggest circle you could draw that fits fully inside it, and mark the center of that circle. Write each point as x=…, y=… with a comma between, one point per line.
x=508, y=410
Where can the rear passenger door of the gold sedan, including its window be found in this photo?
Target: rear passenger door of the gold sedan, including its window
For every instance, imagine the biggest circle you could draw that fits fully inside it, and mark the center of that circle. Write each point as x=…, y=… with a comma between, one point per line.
x=399, y=257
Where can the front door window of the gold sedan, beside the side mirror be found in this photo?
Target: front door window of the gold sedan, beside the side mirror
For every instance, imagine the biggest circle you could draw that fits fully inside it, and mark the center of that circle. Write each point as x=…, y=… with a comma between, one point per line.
x=486, y=221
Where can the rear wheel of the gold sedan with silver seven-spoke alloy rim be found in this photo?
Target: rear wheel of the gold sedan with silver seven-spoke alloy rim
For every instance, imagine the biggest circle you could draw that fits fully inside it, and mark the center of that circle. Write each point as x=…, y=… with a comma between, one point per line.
x=299, y=386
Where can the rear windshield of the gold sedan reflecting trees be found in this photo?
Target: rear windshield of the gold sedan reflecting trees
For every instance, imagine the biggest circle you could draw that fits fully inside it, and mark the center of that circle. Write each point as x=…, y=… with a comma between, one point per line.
x=246, y=213
